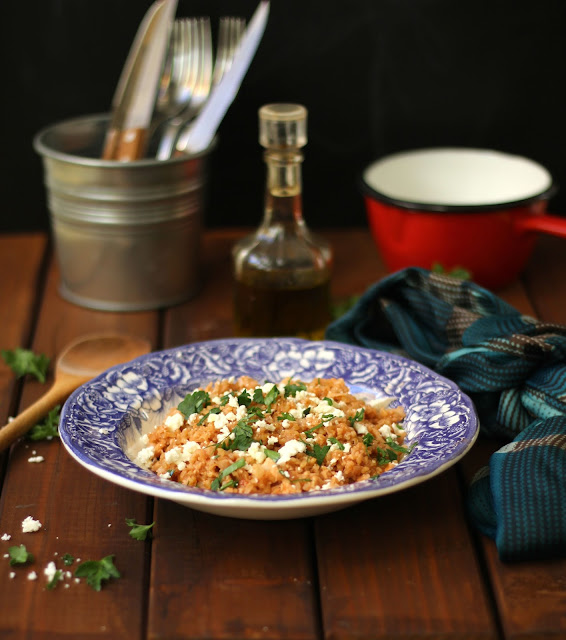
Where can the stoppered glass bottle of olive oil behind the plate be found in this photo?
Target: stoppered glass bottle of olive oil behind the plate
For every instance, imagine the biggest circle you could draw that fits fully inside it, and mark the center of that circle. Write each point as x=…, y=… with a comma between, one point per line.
x=282, y=271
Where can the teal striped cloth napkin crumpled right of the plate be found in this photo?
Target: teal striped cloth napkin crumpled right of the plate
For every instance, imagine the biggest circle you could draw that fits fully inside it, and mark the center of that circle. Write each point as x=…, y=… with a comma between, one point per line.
x=514, y=369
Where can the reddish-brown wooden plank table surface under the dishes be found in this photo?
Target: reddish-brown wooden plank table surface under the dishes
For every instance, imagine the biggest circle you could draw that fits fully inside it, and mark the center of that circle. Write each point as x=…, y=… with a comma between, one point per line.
x=406, y=565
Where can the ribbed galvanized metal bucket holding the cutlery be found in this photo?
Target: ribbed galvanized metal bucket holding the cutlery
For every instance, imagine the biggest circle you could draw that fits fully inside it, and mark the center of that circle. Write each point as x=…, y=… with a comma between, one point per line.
x=127, y=235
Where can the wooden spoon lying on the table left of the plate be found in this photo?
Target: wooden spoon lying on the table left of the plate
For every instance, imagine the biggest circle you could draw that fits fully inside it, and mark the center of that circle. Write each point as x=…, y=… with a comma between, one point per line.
x=80, y=361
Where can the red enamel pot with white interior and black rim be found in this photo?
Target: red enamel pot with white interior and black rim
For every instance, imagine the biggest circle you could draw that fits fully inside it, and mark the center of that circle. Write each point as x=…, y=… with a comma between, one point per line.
x=472, y=208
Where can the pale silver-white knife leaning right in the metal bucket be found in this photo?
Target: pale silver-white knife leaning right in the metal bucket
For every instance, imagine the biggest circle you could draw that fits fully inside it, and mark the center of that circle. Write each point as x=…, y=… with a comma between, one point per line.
x=199, y=134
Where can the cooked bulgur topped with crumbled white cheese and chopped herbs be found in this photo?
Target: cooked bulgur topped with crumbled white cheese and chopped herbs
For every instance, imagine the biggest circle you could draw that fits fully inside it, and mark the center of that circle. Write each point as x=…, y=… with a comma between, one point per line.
x=240, y=436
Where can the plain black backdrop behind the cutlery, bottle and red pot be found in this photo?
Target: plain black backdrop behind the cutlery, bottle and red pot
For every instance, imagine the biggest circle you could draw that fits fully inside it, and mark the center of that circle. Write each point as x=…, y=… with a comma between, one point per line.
x=377, y=76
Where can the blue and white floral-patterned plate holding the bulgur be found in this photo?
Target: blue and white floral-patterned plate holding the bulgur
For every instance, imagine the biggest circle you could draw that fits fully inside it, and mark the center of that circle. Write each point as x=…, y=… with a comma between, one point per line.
x=102, y=421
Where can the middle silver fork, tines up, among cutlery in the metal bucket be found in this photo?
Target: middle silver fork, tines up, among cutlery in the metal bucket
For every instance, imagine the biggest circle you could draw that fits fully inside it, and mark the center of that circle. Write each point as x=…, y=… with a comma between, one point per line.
x=194, y=93
